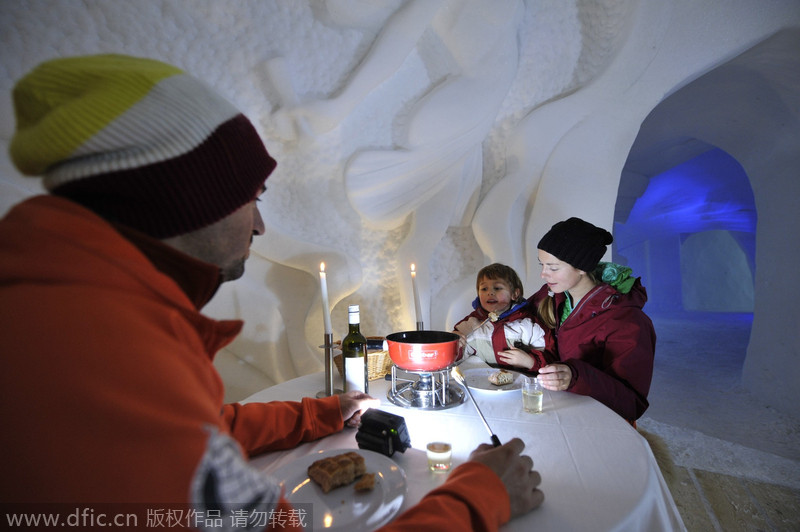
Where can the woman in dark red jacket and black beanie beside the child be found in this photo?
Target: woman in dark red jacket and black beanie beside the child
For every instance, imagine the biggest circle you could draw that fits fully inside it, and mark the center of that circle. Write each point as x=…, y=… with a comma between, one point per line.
x=605, y=342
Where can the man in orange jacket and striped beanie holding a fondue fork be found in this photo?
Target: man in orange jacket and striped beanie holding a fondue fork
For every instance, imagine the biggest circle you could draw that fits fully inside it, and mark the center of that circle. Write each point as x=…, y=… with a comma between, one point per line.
x=109, y=392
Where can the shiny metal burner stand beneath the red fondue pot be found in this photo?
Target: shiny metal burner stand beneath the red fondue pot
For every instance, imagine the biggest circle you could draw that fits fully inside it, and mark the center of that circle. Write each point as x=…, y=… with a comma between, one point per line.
x=431, y=390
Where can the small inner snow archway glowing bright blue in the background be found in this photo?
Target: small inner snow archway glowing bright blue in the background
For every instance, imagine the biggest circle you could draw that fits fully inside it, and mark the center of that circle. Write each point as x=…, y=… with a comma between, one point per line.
x=691, y=236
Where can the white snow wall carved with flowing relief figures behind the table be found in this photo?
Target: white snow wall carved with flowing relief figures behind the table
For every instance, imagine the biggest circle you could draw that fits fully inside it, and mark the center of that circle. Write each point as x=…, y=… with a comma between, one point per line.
x=445, y=133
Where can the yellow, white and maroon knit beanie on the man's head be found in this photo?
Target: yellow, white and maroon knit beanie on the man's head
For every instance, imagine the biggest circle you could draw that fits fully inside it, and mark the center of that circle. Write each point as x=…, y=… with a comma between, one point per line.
x=138, y=142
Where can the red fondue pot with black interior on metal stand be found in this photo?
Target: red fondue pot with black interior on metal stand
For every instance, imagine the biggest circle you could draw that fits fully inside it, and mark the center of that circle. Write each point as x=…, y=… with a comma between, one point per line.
x=423, y=350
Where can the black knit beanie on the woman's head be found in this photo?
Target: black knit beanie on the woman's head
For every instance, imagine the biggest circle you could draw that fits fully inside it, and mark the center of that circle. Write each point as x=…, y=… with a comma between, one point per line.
x=576, y=242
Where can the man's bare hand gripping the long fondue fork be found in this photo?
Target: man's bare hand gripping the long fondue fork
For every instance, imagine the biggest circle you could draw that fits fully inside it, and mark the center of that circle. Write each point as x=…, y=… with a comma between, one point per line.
x=516, y=472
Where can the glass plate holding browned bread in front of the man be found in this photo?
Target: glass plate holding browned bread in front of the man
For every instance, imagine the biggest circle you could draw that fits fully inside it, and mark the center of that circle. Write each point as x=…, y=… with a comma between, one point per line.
x=344, y=508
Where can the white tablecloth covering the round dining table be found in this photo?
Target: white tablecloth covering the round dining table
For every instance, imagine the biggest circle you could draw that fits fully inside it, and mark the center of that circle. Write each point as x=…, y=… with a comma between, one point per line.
x=598, y=473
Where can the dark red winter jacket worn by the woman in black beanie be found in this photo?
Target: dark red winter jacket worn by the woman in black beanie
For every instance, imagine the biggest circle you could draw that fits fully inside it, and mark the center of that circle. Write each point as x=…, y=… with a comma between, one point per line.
x=609, y=344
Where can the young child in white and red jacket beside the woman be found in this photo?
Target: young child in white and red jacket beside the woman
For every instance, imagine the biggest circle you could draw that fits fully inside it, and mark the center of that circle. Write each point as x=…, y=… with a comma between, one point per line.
x=503, y=329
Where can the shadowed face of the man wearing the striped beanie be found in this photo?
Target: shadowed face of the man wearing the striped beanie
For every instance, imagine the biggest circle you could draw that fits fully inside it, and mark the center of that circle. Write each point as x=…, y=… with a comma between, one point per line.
x=225, y=243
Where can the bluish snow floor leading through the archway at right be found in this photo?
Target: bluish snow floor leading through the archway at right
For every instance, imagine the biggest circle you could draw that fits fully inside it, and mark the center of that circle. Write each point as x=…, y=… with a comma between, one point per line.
x=700, y=409
